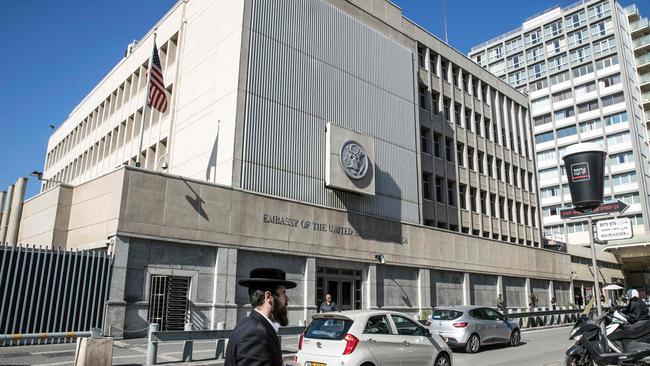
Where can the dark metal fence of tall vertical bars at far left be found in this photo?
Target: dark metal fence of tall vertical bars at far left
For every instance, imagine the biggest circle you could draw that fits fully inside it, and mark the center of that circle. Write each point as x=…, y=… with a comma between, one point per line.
x=52, y=290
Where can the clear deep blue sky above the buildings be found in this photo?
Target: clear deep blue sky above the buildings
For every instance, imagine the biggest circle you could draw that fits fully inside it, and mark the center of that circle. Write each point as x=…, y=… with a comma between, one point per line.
x=55, y=52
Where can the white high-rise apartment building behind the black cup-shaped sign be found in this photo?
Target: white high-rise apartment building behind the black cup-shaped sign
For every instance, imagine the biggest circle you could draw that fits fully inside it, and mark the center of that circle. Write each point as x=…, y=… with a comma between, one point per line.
x=578, y=66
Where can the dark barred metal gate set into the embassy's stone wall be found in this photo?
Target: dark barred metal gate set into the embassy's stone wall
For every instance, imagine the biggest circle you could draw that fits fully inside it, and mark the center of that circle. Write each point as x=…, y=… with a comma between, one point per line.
x=168, y=302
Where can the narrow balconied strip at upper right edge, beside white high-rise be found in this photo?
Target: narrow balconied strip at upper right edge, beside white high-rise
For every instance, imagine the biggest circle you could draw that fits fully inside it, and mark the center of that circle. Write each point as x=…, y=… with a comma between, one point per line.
x=640, y=33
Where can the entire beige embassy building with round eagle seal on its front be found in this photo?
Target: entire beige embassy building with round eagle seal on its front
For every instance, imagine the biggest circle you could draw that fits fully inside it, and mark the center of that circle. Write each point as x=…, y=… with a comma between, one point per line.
x=336, y=140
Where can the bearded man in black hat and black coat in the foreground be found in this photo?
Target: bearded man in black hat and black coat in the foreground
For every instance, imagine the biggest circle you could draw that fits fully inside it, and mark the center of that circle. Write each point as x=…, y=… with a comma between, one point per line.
x=254, y=341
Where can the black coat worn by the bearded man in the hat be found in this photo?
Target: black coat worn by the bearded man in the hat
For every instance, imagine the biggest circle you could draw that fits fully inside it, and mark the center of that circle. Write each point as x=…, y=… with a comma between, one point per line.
x=253, y=343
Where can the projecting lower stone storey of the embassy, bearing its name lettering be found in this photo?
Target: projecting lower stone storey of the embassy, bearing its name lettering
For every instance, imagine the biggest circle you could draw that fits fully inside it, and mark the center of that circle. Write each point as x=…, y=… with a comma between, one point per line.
x=217, y=234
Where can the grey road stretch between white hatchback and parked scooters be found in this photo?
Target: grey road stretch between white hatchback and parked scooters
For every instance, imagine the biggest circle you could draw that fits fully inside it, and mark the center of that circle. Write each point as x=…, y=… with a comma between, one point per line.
x=543, y=347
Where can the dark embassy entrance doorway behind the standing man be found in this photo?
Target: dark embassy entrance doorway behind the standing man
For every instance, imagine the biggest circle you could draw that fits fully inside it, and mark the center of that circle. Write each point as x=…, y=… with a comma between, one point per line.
x=343, y=284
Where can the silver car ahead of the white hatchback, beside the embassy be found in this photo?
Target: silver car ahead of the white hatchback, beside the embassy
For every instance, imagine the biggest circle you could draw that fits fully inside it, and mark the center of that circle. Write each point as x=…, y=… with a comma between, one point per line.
x=473, y=326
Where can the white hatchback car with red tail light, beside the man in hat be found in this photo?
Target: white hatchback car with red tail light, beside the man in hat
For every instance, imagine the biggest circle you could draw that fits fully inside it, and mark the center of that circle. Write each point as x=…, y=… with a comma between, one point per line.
x=370, y=338
